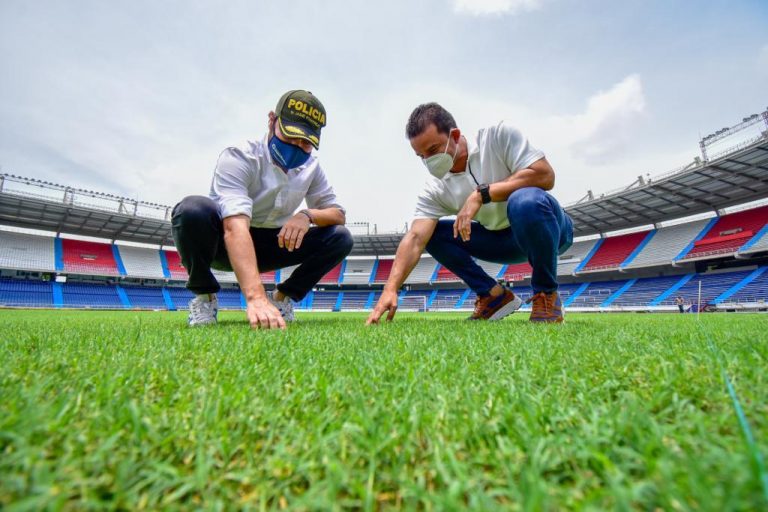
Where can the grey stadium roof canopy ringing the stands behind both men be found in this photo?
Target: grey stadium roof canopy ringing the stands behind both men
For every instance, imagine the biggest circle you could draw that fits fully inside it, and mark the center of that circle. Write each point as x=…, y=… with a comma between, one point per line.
x=735, y=176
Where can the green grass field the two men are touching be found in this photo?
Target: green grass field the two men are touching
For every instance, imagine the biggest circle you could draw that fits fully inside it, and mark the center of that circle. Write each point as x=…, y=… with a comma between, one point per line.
x=128, y=410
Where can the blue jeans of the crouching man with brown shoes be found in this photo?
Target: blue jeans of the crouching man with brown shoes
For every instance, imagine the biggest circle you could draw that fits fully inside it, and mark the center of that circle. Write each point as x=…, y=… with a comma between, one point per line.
x=539, y=231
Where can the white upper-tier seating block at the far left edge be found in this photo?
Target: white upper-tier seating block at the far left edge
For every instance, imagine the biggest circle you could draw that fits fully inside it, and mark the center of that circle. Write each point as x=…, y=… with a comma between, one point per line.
x=26, y=252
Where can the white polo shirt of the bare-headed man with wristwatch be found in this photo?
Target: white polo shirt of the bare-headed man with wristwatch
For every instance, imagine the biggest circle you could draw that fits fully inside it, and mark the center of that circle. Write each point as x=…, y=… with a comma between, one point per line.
x=499, y=152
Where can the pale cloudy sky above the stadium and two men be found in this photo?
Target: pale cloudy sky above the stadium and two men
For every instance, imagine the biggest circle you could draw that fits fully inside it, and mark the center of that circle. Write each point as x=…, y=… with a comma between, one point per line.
x=138, y=98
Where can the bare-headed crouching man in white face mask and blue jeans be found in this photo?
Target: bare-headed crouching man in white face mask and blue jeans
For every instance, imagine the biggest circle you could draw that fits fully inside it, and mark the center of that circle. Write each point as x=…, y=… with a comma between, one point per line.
x=495, y=184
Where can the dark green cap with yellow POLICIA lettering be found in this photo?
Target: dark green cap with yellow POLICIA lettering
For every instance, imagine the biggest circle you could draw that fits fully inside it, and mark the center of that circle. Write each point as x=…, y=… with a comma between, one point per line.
x=301, y=115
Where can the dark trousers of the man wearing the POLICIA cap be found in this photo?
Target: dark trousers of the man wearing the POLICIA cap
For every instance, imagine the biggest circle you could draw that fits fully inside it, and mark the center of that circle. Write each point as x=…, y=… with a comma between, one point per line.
x=199, y=235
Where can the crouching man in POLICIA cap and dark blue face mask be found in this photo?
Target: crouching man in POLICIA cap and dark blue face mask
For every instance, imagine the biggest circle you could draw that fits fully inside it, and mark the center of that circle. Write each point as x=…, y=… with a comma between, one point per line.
x=249, y=222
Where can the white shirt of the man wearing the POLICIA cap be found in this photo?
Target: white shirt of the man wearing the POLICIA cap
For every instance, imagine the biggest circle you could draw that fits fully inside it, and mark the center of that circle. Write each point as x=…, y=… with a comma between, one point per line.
x=246, y=182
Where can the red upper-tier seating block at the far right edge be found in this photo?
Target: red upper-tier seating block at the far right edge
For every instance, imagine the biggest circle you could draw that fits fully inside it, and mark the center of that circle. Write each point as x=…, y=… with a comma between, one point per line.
x=729, y=233
